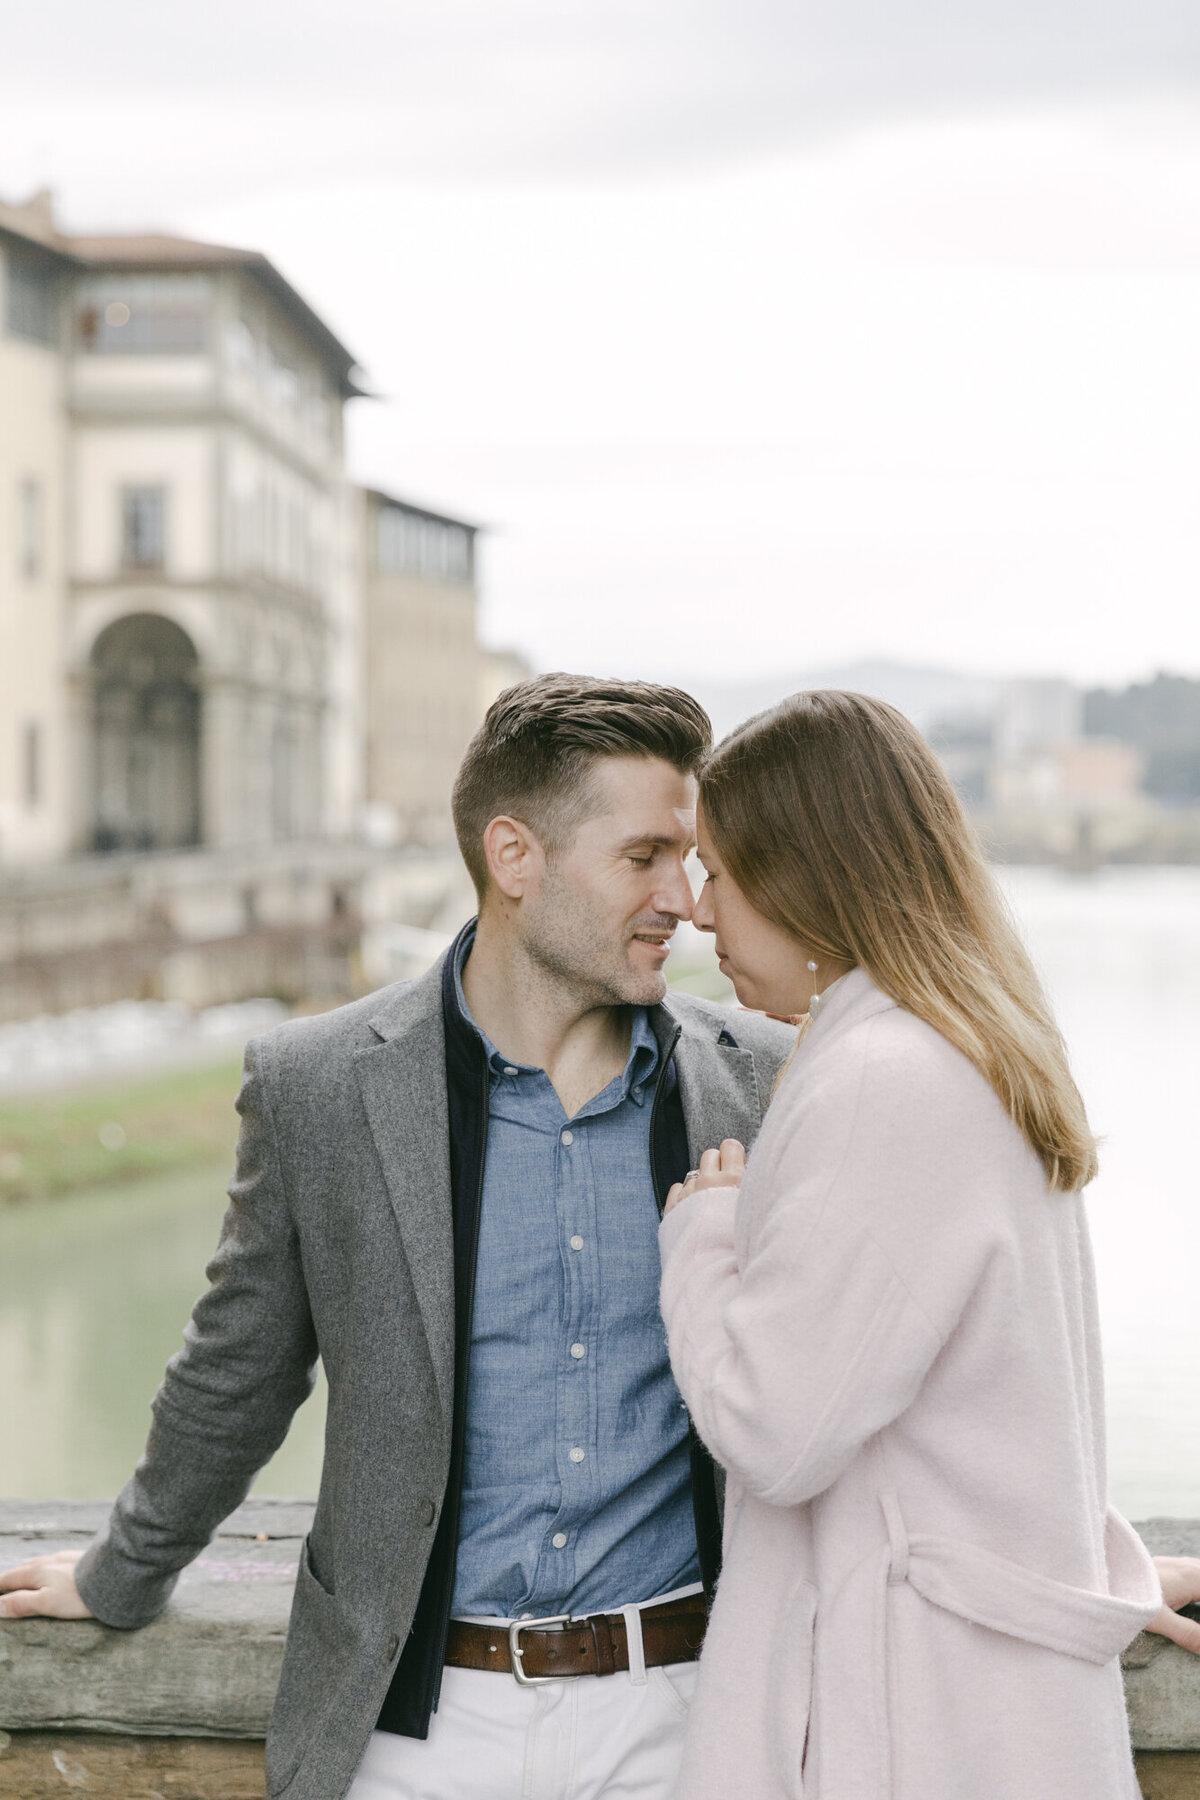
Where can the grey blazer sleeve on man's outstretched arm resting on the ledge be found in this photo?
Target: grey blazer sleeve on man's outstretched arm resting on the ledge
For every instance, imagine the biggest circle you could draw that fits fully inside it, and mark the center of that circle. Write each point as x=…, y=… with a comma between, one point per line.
x=228, y=1398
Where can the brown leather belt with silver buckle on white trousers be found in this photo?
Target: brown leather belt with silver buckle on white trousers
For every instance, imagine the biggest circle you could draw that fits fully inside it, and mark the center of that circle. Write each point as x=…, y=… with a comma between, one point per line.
x=548, y=1650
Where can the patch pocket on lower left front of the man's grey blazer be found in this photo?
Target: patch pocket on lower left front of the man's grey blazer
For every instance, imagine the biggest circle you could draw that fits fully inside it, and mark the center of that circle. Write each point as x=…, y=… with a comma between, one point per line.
x=319, y=1659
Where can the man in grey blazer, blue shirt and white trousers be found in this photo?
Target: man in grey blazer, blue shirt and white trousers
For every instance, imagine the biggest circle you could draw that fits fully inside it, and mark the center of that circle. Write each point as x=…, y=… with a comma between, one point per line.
x=463, y=1176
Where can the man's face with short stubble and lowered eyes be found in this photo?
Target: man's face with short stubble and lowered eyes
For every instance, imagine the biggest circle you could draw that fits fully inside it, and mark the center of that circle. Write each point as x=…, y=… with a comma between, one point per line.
x=602, y=912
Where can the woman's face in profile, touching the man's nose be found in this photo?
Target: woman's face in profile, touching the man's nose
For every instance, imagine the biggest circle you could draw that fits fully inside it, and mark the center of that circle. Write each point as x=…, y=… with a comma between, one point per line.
x=766, y=964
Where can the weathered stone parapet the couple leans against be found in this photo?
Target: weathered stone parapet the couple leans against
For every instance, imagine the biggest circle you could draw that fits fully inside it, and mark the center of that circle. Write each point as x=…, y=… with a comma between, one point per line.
x=181, y=1707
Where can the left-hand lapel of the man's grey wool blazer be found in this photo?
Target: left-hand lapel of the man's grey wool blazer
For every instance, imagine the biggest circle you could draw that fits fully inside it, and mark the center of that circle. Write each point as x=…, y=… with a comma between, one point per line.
x=404, y=1090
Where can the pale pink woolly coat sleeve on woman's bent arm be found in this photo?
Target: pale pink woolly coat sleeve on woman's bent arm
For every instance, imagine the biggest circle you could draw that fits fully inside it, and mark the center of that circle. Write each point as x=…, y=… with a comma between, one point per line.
x=796, y=1344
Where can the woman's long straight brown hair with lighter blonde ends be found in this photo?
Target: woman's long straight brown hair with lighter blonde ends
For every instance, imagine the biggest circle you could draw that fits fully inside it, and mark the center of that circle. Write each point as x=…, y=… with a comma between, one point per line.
x=841, y=827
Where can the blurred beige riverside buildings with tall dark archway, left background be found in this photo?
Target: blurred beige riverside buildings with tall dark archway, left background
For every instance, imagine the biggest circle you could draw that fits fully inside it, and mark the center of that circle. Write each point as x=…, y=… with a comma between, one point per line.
x=208, y=636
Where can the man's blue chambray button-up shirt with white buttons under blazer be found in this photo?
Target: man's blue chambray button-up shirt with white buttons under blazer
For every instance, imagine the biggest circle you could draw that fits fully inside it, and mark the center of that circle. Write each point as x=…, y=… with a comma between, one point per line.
x=577, y=1489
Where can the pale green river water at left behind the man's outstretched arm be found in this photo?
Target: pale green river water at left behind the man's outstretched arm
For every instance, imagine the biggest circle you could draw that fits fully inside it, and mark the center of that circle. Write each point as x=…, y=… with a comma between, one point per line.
x=94, y=1295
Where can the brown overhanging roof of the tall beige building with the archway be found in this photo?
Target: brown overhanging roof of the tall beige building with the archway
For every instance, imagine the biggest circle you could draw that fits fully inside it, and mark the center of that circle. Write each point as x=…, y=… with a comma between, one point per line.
x=161, y=251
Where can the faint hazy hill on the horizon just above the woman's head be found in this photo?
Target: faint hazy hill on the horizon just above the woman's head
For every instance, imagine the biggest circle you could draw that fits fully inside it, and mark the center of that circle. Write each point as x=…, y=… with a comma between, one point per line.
x=926, y=696
